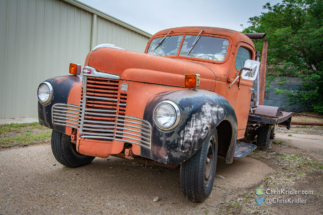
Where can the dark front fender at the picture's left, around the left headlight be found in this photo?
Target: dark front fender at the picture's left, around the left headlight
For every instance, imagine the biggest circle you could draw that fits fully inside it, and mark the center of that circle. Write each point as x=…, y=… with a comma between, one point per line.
x=61, y=87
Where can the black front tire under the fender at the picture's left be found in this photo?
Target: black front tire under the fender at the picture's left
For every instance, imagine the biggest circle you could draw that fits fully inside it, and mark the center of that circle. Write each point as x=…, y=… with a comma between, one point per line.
x=65, y=151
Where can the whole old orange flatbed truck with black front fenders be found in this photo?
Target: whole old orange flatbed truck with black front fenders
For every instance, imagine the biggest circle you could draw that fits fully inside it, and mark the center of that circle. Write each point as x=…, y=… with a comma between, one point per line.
x=185, y=101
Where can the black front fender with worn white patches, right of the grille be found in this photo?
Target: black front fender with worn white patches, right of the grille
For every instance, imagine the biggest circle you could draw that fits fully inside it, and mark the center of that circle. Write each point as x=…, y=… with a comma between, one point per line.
x=201, y=112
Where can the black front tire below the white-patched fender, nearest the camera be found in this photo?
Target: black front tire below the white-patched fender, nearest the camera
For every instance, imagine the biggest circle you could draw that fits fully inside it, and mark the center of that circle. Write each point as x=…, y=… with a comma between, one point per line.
x=196, y=186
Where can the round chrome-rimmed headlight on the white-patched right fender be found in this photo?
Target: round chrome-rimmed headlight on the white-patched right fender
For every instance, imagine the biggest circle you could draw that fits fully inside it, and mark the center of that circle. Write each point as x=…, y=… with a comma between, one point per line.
x=167, y=115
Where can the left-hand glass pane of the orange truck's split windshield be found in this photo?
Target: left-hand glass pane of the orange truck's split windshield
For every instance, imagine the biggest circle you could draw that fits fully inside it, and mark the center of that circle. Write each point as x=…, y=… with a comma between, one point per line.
x=169, y=46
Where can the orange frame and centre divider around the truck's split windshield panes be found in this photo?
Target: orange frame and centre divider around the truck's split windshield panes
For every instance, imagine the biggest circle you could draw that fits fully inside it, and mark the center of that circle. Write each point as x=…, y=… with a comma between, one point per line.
x=203, y=34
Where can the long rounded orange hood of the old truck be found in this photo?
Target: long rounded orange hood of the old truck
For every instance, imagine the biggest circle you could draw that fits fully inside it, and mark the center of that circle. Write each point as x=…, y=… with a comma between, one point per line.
x=147, y=68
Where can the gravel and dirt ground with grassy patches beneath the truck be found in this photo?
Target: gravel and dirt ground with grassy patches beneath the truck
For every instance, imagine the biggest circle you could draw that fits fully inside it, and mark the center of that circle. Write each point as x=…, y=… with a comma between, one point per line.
x=33, y=182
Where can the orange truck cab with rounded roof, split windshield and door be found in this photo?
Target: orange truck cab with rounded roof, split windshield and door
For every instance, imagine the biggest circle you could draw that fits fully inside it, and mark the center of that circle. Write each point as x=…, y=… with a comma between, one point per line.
x=222, y=53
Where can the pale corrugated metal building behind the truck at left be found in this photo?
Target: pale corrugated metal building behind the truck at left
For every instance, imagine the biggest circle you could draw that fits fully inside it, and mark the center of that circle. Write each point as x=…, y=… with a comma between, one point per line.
x=38, y=40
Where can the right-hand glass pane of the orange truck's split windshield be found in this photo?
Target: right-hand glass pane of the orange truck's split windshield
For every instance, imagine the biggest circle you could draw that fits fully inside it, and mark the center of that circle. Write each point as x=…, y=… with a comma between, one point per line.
x=209, y=48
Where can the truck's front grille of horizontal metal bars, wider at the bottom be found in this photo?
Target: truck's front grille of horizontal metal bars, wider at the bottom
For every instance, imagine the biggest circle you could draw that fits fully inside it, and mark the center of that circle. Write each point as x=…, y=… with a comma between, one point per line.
x=102, y=114
